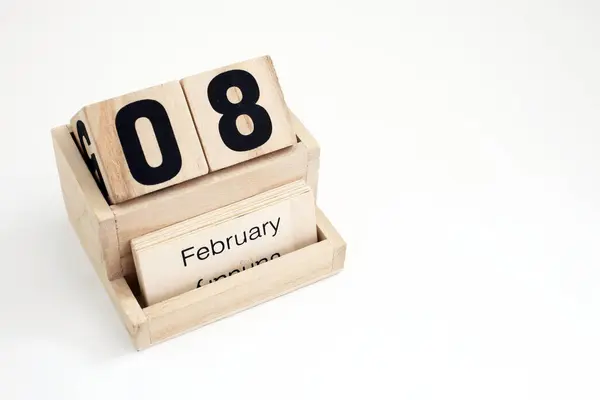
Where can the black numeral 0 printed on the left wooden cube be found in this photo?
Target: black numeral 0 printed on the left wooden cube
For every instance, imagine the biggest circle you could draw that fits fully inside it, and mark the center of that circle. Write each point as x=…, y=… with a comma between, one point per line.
x=132, y=147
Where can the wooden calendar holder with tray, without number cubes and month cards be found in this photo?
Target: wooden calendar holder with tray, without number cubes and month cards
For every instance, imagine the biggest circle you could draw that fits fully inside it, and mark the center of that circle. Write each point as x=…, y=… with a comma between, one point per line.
x=105, y=231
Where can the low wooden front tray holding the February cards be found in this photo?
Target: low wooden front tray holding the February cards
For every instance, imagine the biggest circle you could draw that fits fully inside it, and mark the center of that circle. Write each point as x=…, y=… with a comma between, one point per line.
x=150, y=325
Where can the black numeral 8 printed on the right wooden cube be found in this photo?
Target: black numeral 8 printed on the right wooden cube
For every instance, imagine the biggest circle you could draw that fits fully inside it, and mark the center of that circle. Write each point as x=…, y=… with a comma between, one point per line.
x=217, y=96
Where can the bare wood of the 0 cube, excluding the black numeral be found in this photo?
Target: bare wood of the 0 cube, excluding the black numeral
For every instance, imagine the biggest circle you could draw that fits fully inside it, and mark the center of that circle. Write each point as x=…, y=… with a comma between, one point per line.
x=99, y=121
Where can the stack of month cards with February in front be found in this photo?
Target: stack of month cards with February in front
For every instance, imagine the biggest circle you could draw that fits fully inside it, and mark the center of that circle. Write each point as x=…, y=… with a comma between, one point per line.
x=224, y=242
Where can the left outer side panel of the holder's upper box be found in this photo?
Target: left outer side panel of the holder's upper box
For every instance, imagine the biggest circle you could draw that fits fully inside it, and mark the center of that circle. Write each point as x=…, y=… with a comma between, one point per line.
x=88, y=211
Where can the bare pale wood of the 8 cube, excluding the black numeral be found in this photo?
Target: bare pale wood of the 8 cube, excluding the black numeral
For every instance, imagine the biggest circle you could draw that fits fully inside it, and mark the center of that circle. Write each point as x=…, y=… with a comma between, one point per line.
x=218, y=154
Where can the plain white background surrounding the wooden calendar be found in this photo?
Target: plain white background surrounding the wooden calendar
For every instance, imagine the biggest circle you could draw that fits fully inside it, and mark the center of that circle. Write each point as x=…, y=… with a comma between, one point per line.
x=460, y=161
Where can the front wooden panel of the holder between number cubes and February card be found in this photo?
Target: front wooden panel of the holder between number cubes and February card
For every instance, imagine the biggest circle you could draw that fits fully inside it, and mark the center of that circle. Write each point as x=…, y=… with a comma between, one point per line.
x=204, y=194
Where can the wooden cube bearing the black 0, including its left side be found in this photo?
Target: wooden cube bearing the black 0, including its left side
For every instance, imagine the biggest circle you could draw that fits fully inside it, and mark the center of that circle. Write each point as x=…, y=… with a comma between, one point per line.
x=140, y=142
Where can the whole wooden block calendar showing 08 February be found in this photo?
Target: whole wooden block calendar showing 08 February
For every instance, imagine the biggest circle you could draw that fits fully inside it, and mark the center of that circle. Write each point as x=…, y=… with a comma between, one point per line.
x=195, y=199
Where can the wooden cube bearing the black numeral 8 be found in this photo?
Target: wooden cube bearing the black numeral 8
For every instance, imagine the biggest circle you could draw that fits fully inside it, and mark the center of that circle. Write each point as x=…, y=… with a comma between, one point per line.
x=239, y=111
